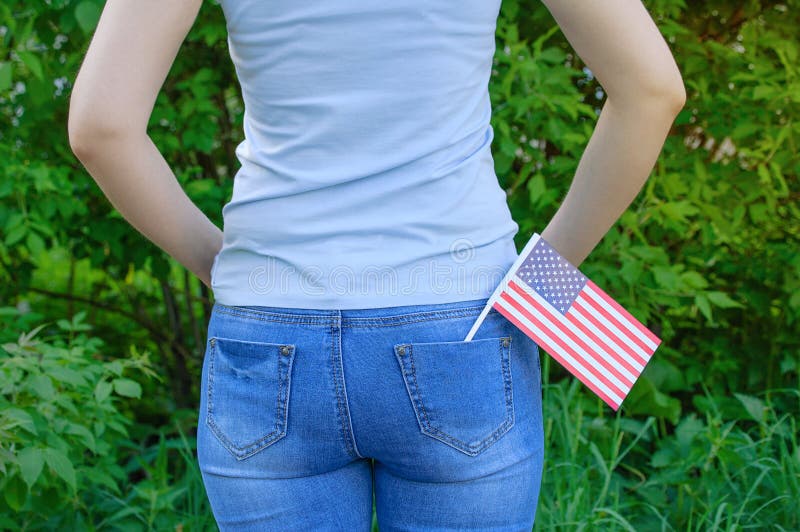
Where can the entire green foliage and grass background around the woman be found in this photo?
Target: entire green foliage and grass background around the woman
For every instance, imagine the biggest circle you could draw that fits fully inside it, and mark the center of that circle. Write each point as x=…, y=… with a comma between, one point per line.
x=103, y=334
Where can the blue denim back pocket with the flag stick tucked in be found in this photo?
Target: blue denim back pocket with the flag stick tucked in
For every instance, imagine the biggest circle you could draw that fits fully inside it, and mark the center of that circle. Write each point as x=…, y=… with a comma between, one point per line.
x=461, y=391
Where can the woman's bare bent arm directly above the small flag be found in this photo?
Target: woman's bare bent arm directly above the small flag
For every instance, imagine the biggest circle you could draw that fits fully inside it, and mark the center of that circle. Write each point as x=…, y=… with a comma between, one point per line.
x=623, y=48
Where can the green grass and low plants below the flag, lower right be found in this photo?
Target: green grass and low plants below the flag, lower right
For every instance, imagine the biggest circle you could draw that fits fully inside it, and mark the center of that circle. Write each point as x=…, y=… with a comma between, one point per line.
x=608, y=471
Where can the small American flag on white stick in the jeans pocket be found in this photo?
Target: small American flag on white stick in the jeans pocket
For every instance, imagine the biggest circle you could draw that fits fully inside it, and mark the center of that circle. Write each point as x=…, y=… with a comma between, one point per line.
x=576, y=322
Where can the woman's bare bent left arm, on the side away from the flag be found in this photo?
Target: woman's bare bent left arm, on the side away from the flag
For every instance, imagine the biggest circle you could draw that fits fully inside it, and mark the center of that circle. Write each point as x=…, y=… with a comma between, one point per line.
x=128, y=59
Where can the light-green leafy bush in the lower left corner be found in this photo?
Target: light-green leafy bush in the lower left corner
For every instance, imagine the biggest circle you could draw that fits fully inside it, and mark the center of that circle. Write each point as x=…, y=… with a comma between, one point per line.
x=63, y=430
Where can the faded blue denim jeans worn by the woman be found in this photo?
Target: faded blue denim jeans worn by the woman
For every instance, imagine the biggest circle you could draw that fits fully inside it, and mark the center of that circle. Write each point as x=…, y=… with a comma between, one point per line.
x=307, y=414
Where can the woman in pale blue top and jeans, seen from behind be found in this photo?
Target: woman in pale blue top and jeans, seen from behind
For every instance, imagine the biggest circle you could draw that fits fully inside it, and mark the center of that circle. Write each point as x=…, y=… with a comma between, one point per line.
x=365, y=233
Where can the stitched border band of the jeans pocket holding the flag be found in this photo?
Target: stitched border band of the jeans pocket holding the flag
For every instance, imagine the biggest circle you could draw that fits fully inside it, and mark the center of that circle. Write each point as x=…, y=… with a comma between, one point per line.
x=405, y=356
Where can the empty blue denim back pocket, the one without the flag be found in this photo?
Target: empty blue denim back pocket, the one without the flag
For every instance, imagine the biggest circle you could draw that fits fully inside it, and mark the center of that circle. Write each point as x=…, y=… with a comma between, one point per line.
x=248, y=393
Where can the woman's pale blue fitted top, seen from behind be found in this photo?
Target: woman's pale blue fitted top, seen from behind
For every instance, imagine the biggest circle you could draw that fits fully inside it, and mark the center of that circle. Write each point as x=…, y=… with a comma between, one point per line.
x=367, y=177
